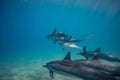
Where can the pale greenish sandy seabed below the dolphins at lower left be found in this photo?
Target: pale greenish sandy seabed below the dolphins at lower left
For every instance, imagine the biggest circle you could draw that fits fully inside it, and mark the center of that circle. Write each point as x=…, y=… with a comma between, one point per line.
x=30, y=70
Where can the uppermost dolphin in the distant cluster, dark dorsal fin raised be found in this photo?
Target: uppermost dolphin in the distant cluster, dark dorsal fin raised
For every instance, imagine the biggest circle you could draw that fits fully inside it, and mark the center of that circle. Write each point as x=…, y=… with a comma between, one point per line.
x=56, y=34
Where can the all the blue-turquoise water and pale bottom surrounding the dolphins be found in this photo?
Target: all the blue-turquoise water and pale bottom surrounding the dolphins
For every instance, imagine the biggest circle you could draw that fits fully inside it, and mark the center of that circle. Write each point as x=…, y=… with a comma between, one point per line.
x=25, y=24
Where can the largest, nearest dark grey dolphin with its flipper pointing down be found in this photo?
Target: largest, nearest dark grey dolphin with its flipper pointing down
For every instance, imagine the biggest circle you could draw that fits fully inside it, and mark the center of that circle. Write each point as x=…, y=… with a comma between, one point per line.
x=68, y=67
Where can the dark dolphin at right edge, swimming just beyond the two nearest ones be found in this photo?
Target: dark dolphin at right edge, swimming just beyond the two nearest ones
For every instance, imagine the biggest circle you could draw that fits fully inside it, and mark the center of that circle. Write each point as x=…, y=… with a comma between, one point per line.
x=104, y=56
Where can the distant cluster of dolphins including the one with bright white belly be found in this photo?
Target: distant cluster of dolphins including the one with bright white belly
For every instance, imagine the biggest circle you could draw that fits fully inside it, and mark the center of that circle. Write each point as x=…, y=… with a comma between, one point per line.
x=64, y=40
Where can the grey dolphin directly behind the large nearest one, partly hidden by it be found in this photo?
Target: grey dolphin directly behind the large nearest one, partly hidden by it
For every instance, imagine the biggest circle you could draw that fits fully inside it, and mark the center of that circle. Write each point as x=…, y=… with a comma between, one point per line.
x=97, y=64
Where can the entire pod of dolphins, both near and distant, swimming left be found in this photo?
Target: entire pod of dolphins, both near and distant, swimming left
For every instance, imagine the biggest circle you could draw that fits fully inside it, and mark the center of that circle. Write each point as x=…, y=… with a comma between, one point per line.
x=90, y=68
